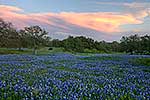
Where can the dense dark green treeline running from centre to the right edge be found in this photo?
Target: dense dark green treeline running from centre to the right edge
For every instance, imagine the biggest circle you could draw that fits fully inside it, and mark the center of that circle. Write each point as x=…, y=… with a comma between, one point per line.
x=133, y=44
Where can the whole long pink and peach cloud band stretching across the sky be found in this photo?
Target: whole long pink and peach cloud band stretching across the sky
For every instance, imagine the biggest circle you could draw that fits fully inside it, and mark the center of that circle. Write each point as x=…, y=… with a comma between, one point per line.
x=106, y=22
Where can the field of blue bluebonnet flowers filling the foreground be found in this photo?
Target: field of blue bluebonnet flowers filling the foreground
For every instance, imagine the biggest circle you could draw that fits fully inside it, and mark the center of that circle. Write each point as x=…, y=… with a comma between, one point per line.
x=73, y=77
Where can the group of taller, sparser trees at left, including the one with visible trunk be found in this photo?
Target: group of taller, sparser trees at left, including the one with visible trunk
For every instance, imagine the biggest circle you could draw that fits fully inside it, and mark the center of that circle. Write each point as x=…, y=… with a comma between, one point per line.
x=29, y=37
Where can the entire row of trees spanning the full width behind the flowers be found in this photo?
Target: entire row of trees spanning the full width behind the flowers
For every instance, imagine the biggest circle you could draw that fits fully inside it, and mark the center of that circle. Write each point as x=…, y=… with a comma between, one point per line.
x=36, y=37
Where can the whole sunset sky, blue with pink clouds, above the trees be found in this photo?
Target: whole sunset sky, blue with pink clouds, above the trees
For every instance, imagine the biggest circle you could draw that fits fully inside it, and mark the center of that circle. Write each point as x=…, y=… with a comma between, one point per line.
x=107, y=20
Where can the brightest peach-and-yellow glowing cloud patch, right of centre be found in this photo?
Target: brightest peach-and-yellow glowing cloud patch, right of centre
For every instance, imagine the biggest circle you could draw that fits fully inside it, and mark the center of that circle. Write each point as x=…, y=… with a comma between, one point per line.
x=103, y=22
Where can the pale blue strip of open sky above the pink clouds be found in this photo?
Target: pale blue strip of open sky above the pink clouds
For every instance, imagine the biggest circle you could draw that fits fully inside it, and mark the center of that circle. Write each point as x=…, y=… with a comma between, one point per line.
x=67, y=5
